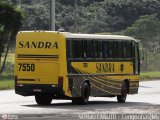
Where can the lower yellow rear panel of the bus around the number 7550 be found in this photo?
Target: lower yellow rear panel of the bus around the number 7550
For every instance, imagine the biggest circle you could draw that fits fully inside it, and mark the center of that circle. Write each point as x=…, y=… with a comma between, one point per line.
x=46, y=72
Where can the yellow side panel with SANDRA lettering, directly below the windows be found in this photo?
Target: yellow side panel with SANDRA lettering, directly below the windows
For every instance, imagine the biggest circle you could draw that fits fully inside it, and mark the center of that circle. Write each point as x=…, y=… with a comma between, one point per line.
x=104, y=67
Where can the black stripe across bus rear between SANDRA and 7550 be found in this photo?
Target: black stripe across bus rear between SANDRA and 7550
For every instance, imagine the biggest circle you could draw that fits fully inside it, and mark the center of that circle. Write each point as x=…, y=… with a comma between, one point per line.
x=37, y=56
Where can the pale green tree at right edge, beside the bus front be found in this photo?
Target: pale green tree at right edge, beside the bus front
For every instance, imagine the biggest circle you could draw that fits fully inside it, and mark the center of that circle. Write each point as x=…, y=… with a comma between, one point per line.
x=146, y=29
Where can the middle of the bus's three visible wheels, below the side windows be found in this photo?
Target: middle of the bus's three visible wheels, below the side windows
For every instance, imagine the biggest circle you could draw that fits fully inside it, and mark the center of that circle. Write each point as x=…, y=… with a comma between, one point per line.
x=84, y=95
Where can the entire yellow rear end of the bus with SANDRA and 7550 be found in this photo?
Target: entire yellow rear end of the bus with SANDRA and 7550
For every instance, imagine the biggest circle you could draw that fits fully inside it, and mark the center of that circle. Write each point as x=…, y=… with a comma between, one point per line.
x=37, y=65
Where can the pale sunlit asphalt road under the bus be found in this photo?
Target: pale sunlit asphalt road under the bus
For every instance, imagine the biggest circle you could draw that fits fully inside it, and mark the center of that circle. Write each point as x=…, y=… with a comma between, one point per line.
x=147, y=101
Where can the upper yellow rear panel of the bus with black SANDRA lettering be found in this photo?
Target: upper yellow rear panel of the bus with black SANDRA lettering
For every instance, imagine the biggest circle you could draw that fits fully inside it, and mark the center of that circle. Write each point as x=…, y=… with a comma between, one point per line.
x=42, y=40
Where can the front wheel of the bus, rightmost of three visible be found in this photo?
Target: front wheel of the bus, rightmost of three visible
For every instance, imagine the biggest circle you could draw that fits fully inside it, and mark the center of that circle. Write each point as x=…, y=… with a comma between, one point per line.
x=122, y=98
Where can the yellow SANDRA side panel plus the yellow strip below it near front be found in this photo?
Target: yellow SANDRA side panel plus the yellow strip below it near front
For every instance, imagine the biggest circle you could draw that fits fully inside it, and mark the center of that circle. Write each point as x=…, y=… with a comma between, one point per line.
x=117, y=71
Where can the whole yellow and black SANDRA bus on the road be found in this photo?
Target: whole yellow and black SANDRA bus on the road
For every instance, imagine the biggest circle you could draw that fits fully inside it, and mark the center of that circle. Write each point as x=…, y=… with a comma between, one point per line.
x=61, y=65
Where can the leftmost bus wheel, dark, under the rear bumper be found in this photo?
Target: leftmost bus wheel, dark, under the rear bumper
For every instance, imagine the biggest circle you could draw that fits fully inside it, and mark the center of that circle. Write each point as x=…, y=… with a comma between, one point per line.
x=42, y=99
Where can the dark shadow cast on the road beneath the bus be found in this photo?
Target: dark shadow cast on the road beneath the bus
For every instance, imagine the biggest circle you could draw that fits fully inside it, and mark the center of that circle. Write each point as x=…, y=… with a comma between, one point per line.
x=99, y=105
